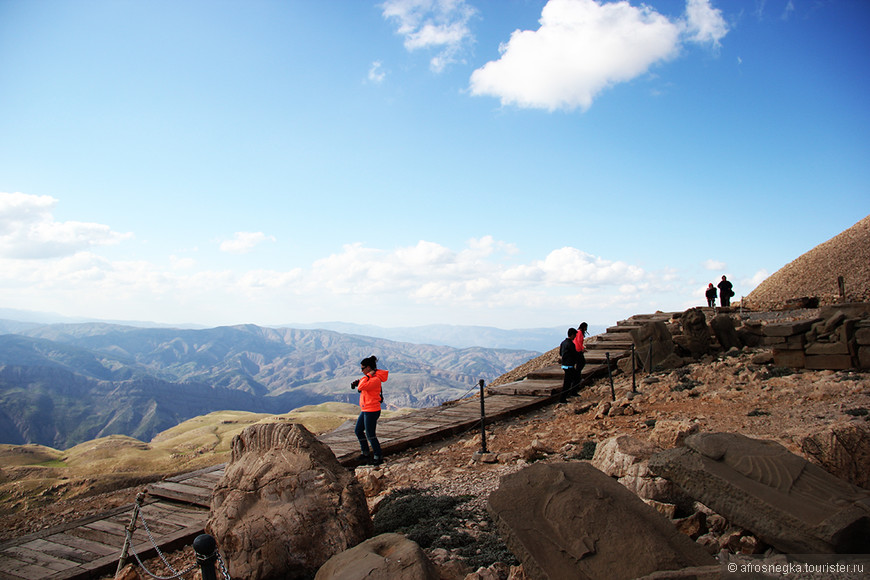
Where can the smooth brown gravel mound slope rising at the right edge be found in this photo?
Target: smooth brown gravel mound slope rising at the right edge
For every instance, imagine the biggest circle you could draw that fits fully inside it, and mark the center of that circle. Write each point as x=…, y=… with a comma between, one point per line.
x=814, y=274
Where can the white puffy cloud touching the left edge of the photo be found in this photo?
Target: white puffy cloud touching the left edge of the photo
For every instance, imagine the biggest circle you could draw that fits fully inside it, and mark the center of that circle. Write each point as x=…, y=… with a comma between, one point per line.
x=28, y=229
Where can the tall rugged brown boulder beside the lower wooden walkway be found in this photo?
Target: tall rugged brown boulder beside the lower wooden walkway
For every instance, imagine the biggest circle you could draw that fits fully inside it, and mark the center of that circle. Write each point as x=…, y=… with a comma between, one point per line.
x=285, y=505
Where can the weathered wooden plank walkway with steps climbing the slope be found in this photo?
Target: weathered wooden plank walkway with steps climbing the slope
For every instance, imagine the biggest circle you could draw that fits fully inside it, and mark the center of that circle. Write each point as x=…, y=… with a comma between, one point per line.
x=175, y=510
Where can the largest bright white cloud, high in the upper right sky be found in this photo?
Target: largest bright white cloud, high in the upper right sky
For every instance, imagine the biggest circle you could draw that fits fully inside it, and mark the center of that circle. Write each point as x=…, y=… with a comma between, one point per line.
x=582, y=47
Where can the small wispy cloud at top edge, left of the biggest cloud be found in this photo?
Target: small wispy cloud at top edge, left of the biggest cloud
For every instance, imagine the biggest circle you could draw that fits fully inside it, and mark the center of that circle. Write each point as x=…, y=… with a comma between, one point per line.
x=437, y=25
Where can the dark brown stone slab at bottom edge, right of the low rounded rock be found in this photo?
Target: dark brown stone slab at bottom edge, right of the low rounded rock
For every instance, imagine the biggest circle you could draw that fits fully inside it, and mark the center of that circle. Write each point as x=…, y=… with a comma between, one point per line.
x=570, y=520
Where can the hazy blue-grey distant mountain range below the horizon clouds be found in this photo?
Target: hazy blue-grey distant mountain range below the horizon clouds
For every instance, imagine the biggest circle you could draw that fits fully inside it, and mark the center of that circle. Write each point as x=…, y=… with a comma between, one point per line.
x=61, y=384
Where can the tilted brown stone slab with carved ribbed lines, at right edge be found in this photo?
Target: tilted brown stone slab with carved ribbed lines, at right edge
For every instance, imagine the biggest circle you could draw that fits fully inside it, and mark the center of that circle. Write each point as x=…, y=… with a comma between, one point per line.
x=793, y=505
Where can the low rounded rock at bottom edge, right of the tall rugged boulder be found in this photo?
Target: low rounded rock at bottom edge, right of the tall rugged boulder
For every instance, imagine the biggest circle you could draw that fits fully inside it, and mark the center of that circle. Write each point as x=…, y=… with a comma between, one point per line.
x=384, y=557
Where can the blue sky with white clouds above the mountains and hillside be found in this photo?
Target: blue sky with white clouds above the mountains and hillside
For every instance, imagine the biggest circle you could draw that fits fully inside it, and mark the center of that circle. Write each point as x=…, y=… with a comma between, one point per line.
x=508, y=163
